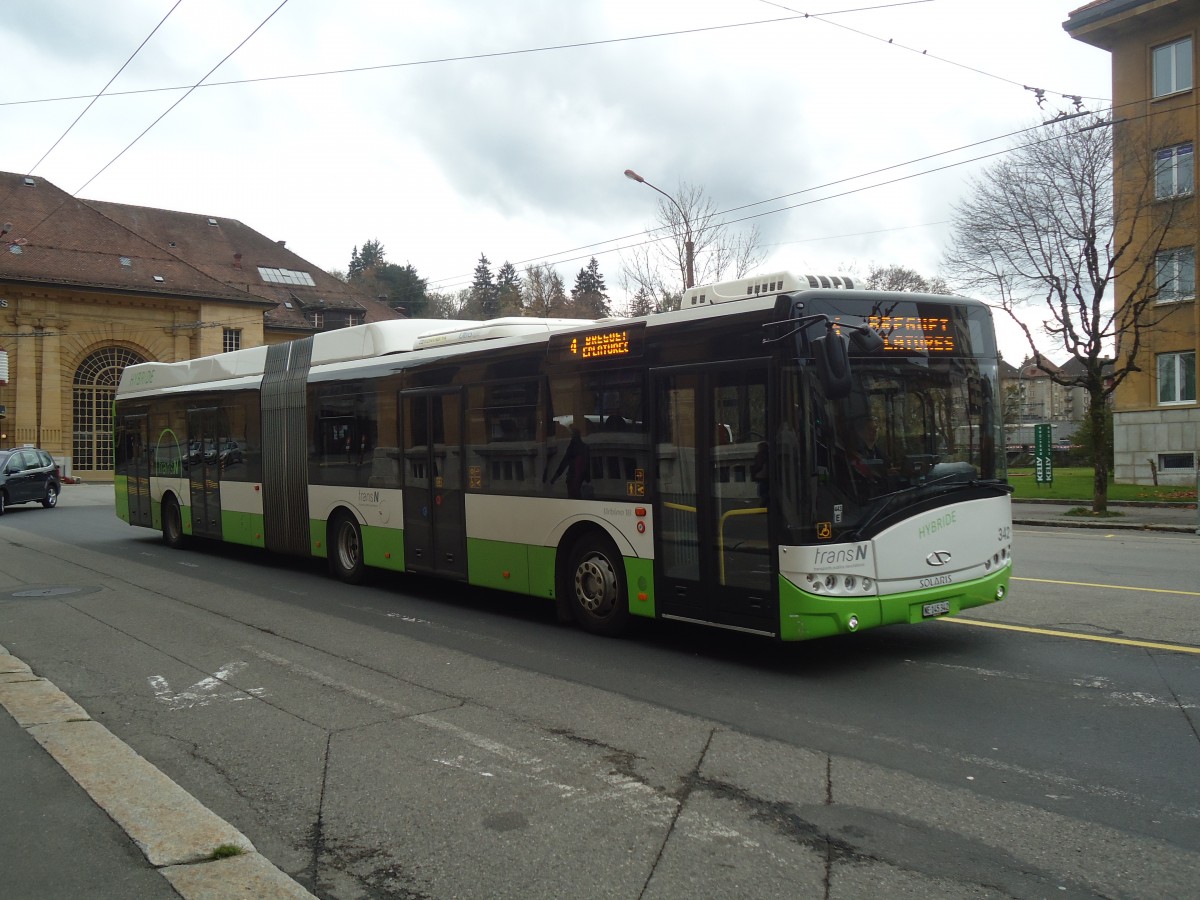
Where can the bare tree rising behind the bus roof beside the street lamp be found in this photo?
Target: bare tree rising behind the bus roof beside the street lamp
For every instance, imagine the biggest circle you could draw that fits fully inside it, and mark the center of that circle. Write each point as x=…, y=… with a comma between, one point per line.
x=661, y=268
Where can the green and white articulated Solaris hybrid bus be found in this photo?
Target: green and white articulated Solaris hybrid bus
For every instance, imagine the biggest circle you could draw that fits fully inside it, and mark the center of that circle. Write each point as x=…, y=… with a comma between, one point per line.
x=698, y=465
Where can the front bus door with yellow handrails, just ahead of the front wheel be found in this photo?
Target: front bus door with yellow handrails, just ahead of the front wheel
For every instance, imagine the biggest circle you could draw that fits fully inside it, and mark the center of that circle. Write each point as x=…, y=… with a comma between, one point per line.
x=712, y=526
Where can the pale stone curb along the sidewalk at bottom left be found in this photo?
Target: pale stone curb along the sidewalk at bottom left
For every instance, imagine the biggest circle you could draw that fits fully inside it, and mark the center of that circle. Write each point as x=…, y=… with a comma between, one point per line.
x=176, y=833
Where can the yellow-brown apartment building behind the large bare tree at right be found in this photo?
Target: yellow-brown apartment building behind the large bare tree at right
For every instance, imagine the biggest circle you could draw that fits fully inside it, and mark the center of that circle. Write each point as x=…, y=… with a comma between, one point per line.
x=1154, y=43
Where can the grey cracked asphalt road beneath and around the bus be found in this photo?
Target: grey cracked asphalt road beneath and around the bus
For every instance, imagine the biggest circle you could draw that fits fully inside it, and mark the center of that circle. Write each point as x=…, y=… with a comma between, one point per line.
x=415, y=740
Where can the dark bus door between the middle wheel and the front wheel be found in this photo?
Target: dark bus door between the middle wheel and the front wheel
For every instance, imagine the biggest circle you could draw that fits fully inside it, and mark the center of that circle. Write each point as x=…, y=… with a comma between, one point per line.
x=435, y=509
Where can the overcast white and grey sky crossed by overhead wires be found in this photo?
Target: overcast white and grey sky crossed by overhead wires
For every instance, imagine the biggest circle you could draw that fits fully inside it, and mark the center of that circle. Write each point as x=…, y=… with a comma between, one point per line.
x=473, y=127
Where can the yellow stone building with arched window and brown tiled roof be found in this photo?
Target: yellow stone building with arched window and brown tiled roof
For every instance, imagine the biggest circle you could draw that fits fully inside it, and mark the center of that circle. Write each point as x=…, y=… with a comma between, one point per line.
x=88, y=289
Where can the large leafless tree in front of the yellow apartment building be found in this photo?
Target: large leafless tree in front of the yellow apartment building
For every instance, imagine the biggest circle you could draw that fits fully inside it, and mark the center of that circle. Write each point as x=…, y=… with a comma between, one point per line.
x=1042, y=231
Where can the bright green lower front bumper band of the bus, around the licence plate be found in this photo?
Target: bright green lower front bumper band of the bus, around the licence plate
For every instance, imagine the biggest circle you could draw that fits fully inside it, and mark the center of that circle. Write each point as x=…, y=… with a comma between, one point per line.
x=805, y=616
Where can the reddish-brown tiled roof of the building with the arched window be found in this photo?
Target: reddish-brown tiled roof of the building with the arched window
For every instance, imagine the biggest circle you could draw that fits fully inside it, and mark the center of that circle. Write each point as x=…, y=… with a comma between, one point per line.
x=122, y=248
